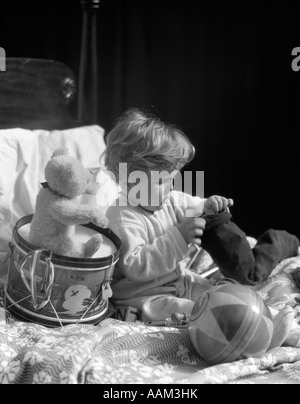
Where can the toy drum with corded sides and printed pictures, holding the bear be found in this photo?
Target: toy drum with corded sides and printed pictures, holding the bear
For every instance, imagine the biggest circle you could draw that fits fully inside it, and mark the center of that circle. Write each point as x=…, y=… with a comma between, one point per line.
x=54, y=290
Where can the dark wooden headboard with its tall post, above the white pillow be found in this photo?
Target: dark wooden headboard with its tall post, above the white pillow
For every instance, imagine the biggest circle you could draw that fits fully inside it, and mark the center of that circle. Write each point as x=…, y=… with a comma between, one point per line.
x=36, y=93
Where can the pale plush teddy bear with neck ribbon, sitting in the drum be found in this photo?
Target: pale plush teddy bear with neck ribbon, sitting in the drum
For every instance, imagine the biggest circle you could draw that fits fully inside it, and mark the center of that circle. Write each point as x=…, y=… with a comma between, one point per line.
x=58, y=209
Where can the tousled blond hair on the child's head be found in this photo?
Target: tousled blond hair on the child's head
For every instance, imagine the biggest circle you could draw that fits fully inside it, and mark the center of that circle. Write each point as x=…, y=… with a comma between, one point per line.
x=146, y=144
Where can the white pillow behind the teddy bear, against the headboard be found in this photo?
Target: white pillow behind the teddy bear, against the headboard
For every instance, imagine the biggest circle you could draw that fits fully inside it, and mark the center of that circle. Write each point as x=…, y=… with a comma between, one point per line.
x=23, y=157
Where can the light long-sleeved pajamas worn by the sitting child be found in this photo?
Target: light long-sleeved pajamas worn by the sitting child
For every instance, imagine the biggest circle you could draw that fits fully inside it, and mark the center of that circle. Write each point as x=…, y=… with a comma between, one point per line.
x=151, y=275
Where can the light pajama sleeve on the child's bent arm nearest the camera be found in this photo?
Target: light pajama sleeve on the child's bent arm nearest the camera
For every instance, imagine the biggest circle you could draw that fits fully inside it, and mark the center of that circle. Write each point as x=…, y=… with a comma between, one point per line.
x=141, y=260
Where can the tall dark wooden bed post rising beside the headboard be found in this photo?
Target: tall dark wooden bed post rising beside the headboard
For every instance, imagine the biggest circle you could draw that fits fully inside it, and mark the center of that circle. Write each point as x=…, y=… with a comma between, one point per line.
x=88, y=89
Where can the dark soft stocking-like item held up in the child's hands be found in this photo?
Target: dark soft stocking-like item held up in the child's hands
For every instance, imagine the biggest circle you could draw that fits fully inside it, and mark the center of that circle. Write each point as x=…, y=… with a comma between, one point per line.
x=230, y=250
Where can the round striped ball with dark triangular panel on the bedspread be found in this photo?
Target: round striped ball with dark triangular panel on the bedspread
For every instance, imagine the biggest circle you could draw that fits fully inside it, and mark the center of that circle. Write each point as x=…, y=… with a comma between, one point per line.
x=230, y=322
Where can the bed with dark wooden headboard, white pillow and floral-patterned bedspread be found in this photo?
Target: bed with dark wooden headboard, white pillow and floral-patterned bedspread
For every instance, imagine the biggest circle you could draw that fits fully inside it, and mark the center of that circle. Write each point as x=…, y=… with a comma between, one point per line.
x=34, y=119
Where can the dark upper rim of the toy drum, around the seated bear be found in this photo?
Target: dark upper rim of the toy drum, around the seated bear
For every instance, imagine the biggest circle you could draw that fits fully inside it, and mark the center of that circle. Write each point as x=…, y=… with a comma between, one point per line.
x=72, y=261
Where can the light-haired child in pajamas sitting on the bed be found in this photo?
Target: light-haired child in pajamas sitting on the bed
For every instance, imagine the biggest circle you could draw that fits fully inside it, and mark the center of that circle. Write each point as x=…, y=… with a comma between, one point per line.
x=155, y=228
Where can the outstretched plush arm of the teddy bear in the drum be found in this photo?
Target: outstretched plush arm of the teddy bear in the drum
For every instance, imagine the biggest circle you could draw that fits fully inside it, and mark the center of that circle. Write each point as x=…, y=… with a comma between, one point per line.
x=70, y=213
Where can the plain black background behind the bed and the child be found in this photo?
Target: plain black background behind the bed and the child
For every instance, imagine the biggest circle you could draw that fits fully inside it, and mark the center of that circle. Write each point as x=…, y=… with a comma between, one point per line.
x=219, y=70
